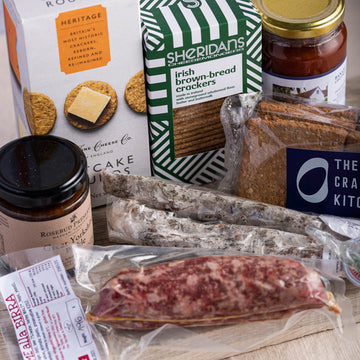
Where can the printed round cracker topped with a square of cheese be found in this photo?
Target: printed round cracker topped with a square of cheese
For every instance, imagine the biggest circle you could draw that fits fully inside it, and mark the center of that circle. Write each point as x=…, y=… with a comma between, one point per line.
x=90, y=105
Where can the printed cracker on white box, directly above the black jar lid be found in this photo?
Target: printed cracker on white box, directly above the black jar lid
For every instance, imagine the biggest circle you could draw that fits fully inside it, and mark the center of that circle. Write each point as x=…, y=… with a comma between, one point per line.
x=40, y=112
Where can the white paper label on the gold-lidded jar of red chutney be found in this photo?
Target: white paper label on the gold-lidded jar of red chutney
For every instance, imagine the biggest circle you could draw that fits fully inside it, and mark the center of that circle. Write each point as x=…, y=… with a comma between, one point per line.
x=329, y=87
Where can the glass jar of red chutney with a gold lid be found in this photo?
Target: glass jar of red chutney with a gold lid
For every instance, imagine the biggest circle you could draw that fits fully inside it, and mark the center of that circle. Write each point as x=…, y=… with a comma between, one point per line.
x=304, y=48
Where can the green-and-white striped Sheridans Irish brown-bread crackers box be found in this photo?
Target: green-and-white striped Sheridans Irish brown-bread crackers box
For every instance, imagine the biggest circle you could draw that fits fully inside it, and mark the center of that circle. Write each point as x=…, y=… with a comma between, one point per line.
x=196, y=54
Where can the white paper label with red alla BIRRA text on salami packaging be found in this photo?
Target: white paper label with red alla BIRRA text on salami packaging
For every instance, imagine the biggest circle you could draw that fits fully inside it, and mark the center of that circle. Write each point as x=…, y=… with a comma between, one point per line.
x=47, y=316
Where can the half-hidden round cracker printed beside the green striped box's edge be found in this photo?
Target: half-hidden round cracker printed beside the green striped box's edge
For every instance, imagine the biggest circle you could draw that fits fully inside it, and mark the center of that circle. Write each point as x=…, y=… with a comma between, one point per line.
x=135, y=94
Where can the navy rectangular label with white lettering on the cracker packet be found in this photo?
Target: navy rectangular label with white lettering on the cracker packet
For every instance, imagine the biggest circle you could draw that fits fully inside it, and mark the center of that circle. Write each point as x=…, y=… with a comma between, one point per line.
x=324, y=182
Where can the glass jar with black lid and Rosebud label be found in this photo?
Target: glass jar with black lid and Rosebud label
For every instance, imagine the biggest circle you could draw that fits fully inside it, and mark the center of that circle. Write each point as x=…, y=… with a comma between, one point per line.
x=44, y=195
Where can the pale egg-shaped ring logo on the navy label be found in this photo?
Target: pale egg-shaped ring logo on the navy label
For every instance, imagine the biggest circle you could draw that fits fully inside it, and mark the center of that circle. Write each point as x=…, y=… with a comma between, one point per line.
x=309, y=165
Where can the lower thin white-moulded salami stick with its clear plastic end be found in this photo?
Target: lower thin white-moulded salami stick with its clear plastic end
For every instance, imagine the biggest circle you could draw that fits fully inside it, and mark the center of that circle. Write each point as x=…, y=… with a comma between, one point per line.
x=130, y=222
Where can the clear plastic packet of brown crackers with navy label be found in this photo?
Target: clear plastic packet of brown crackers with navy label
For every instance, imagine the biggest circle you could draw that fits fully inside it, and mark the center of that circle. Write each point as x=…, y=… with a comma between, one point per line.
x=292, y=152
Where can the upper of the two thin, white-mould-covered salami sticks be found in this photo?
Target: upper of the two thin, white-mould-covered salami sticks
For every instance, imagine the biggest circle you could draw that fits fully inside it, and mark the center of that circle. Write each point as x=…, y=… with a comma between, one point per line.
x=204, y=204
